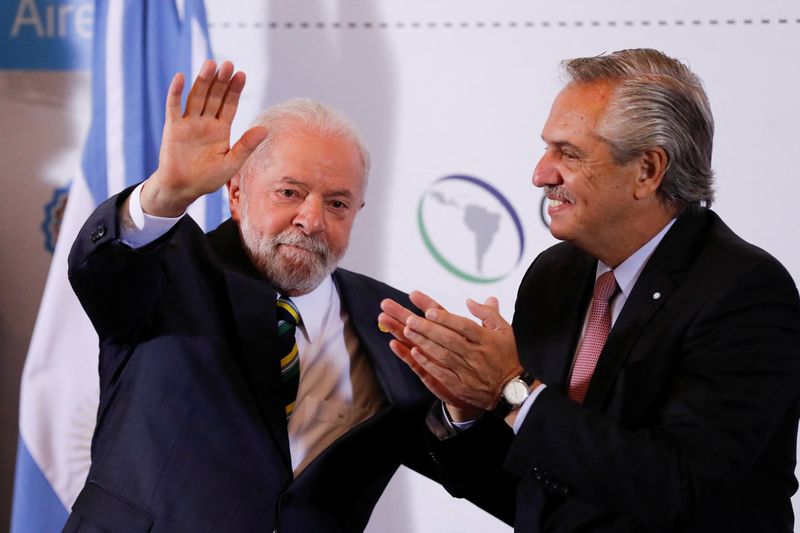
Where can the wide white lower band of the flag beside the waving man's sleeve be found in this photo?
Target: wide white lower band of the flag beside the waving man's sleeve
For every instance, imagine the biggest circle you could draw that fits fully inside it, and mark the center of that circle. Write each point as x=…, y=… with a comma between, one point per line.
x=59, y=386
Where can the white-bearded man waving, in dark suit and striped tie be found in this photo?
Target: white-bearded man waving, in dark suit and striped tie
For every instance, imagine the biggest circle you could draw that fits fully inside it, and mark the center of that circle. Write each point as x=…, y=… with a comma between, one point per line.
x=244, y=383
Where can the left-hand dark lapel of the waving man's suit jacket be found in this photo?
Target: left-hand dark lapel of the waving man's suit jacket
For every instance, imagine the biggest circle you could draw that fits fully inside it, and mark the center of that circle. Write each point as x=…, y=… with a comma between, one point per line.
x=252, y=304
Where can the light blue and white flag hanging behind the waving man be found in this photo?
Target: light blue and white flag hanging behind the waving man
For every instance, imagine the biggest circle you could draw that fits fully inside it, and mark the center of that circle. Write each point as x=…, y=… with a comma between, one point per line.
x=138, y=46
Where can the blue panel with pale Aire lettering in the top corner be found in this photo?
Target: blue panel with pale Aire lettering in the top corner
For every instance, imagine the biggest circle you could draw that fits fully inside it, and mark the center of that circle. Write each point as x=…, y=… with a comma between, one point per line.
x=46, y=34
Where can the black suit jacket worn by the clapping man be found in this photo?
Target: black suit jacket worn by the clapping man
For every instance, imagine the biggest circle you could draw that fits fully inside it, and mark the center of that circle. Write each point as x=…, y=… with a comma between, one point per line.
x=690, y=420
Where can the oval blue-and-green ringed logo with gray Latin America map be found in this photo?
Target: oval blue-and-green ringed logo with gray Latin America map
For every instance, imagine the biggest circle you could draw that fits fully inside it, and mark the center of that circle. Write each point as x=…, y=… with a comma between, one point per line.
x=470, y=229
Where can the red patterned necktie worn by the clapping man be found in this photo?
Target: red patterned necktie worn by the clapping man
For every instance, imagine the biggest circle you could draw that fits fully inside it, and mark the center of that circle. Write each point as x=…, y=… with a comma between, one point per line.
x=596, y=334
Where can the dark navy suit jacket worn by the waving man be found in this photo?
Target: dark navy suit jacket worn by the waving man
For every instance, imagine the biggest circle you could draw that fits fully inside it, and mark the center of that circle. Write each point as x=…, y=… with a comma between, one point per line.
x=191, y=434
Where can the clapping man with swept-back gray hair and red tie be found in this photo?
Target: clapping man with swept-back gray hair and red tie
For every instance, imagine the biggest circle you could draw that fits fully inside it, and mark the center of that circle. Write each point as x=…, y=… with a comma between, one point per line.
x=651, y=377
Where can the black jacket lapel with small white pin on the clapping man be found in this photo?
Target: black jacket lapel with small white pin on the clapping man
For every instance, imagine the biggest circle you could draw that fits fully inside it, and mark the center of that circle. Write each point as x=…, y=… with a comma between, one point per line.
x=658, y=281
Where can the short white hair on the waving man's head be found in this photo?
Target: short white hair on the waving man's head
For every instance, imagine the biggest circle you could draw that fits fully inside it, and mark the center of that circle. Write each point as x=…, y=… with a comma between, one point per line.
x=309, y=114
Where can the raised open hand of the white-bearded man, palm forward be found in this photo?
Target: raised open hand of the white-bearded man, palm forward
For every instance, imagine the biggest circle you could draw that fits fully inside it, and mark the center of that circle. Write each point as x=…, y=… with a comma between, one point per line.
x=196, y=157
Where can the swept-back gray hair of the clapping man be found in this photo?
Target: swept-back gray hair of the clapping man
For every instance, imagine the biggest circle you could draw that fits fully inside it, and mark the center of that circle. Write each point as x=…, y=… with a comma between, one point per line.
x=656, y=102
